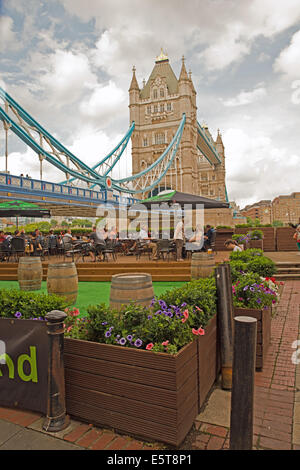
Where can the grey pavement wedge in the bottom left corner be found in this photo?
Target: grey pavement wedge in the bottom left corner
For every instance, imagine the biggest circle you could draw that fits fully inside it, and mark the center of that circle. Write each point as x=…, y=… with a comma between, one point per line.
x=15, y=437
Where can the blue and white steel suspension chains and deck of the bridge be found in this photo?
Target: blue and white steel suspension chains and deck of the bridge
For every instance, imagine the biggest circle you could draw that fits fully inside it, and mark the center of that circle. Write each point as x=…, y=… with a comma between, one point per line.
x=82, y=184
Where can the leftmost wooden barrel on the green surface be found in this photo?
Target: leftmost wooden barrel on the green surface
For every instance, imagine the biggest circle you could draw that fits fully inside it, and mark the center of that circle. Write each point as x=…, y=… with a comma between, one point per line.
x=30, y=273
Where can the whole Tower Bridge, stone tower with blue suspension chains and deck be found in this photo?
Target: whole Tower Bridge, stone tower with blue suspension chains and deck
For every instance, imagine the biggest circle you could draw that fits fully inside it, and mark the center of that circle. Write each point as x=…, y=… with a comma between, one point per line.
x=170, y=150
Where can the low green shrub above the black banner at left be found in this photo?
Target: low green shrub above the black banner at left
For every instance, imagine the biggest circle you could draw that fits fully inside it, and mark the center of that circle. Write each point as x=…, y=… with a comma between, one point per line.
x=28, y=304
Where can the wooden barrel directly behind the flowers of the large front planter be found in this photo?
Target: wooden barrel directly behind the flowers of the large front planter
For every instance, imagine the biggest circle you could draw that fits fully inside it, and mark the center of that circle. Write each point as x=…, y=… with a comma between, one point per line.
x=129, y=287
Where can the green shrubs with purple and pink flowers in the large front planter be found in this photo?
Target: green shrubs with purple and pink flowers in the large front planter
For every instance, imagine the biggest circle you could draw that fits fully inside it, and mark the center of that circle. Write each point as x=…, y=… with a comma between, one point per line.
x=167, y=325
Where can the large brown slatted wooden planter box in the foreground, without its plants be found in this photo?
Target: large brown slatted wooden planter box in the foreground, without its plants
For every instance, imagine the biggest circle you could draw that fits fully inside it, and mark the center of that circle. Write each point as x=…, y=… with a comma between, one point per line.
x=151, y=395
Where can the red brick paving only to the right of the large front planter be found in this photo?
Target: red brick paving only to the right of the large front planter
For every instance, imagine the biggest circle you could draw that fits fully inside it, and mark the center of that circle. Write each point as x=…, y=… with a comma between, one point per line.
x=277, y=399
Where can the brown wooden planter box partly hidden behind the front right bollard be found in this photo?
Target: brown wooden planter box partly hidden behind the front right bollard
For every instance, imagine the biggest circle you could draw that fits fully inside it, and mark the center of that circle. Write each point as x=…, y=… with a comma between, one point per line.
x=263, y=331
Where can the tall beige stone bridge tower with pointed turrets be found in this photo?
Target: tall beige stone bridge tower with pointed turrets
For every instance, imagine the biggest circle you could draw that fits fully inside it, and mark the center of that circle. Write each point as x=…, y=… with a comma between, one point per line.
x=157, y=110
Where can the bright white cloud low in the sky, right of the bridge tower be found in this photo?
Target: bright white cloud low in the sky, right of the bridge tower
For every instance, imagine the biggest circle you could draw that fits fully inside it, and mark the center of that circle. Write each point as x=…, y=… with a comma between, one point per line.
x=257, y=169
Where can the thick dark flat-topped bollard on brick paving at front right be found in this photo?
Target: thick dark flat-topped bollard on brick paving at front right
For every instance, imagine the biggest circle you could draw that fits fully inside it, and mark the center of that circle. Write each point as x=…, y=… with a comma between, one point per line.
x=242, y=394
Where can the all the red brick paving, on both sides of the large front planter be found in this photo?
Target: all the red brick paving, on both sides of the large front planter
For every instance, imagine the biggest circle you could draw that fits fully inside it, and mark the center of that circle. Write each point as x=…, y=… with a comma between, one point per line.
x=277, y=401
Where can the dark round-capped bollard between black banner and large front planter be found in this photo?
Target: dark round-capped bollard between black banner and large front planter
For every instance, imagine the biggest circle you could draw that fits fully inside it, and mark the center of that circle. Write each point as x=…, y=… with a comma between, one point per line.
x=56, y=419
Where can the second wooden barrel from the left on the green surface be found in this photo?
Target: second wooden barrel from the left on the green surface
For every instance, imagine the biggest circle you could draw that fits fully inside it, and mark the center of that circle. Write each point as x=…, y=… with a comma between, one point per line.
x=62, y=280
